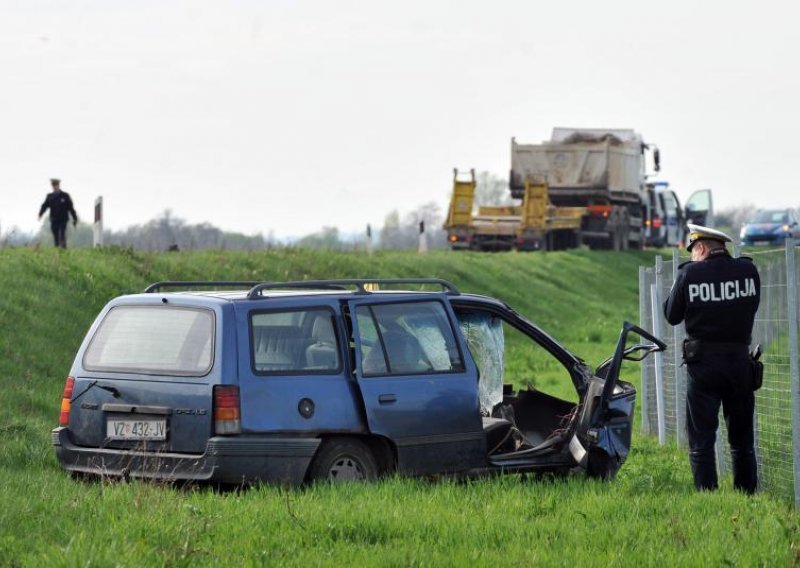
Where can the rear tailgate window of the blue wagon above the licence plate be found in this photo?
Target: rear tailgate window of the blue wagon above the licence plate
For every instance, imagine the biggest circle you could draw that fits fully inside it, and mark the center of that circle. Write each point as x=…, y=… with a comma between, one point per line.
x=153, y=340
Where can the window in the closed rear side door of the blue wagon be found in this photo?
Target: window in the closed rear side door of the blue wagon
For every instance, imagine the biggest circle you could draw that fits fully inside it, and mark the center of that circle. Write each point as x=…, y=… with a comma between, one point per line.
x=407, y=339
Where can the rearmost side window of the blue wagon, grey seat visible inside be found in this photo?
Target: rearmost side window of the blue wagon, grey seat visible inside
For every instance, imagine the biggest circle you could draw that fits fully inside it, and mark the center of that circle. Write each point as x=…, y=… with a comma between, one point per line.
x=294, y=342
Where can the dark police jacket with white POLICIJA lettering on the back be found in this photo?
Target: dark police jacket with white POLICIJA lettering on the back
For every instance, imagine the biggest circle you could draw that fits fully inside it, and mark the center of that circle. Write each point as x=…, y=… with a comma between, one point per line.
x=718, y=297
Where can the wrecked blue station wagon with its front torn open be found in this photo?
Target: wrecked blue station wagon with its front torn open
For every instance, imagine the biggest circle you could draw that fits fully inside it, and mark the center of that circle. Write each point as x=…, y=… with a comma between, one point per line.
x=333, y=380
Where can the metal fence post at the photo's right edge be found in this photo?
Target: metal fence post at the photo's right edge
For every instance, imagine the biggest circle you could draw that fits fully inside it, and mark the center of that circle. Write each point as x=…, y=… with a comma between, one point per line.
x=794, y=371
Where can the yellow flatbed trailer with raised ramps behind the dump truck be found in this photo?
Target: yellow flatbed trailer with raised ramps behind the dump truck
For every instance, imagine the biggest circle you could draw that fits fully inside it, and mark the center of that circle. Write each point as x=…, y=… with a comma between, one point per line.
x=533, y=224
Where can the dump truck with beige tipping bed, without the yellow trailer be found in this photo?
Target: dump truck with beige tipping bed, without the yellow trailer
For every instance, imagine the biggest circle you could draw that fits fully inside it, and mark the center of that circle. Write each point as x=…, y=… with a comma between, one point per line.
x=601, y=170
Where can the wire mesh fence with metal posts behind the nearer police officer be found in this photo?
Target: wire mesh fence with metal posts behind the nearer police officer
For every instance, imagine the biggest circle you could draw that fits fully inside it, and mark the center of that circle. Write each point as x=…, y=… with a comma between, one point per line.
x=777, y=419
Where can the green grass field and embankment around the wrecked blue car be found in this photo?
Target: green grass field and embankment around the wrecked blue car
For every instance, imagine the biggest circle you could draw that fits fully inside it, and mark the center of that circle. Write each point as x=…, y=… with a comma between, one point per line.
x=648, y=515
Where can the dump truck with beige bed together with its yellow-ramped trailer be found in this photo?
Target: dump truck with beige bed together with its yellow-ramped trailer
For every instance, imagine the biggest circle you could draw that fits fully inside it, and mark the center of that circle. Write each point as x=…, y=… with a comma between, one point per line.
x=583, y=186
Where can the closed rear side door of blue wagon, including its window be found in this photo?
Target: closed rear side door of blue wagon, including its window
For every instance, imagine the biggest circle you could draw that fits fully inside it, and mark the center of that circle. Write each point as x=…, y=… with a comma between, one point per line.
x=419, y=388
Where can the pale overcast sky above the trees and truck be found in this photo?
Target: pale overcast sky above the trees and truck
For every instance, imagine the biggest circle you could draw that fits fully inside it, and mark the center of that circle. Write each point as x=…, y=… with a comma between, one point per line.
x=287, y=116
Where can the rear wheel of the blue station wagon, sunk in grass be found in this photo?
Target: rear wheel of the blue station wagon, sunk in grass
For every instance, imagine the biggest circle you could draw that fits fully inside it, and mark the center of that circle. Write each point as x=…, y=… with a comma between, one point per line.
x=340, y=460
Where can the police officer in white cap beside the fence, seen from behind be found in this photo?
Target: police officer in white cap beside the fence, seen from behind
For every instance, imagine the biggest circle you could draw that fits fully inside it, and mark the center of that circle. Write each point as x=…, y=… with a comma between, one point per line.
x=717, y=296
